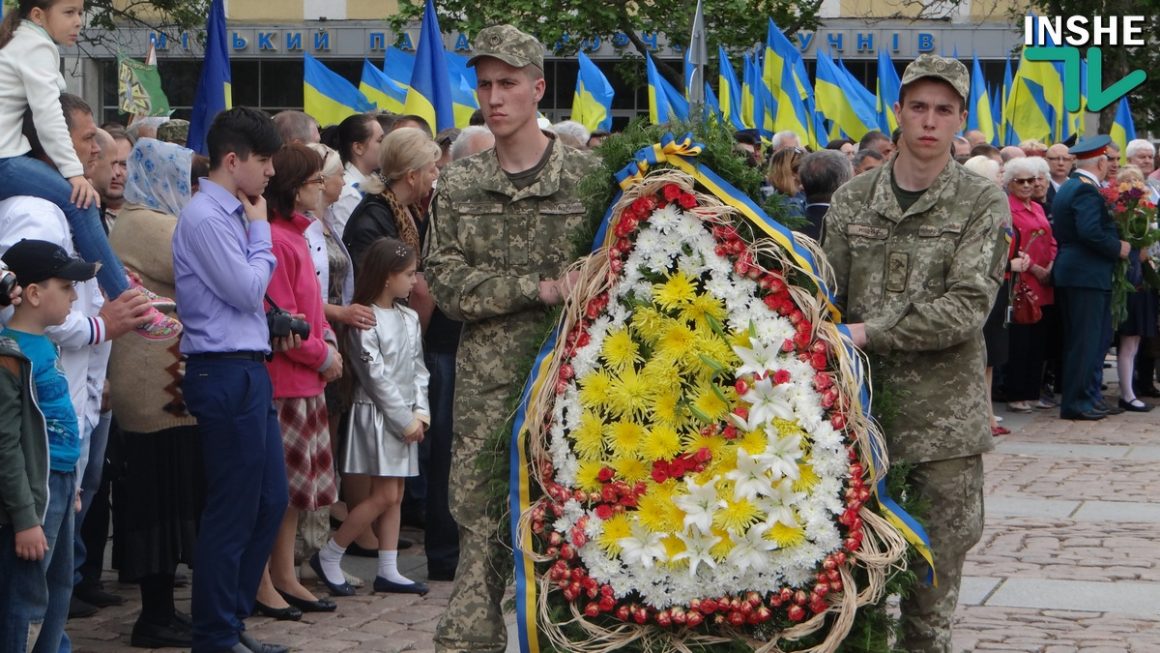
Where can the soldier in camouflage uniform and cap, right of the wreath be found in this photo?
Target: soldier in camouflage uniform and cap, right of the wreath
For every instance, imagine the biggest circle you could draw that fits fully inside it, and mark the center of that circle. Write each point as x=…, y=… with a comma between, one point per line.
x=919, y=251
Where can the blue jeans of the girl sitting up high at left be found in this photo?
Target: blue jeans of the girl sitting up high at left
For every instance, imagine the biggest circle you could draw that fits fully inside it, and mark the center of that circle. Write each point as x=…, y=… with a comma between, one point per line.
x=26, y=176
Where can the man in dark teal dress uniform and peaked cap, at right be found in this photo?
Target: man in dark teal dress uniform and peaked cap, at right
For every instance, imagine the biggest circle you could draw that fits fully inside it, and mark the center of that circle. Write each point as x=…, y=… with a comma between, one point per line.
x=1089, y=249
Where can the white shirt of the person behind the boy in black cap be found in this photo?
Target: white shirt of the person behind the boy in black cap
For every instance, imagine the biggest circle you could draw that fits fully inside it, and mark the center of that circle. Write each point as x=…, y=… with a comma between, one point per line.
x=82, y=338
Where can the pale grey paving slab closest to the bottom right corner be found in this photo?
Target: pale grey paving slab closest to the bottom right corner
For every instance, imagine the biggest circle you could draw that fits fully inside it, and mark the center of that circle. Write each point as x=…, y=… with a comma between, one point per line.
x=1140, y=599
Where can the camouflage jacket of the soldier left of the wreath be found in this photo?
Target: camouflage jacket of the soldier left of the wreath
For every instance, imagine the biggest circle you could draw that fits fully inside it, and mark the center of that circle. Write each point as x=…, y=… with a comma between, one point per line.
x=489, y=248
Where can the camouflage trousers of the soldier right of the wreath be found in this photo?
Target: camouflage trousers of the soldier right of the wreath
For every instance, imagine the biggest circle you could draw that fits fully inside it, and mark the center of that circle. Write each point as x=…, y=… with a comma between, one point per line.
x=954, y=524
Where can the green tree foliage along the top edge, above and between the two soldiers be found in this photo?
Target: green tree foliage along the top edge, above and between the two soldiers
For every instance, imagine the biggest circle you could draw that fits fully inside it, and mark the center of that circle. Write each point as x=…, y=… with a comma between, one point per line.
x=734, y=24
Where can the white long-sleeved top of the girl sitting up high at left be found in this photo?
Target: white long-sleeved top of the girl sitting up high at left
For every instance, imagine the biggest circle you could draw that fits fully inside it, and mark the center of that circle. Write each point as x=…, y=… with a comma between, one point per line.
x=31, y=77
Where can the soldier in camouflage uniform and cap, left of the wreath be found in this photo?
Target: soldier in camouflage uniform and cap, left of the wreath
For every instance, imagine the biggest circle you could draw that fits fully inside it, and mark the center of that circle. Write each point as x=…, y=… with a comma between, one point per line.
x=501, y=240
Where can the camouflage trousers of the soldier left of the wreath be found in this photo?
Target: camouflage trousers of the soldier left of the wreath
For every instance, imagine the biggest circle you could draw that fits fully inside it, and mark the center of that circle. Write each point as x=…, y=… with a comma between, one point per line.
x=474, y=621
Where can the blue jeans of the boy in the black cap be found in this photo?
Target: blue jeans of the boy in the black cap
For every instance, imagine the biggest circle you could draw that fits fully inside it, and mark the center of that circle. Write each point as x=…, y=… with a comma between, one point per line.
x=34, y=596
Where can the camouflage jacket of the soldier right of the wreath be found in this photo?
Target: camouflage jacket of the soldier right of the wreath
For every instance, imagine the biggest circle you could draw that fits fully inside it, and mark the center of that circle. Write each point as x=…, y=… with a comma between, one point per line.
x=924, y=284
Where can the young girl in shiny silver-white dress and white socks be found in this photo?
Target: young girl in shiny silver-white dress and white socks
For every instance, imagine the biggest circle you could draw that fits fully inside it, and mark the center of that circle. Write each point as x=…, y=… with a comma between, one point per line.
x=389, y=415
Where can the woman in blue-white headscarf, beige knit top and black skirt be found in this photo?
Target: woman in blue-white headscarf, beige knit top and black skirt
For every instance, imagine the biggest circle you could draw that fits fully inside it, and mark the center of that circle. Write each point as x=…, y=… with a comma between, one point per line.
x=161, y=488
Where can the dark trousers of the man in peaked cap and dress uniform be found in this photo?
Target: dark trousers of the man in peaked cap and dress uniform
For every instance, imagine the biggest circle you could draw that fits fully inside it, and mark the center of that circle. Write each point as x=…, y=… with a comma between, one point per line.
x=1083, y=313
